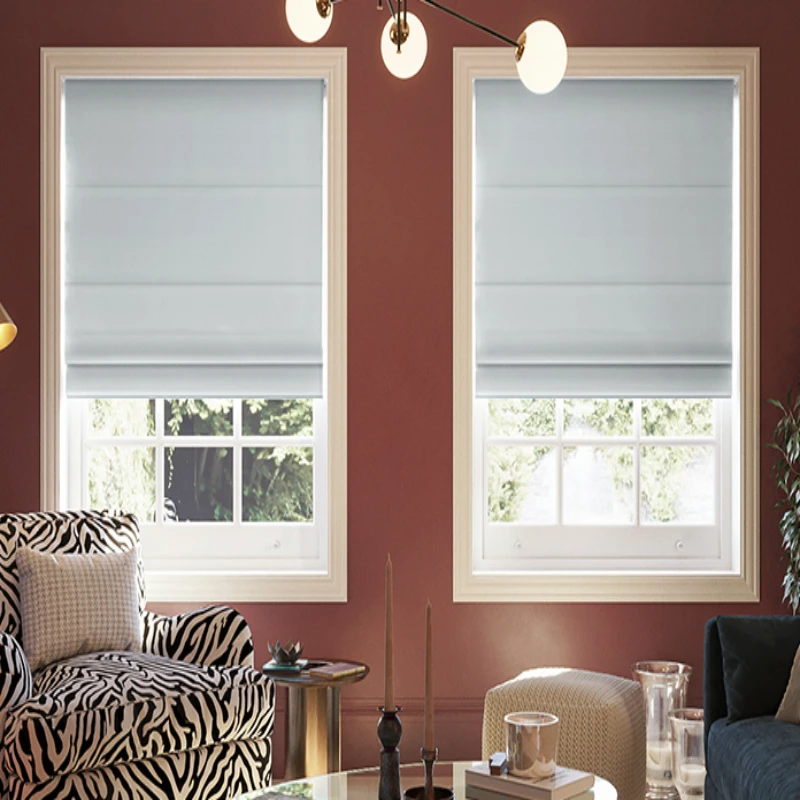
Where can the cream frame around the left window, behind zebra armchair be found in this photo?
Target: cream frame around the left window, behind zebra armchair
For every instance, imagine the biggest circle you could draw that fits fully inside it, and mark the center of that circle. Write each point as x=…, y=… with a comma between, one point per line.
x=180, y=570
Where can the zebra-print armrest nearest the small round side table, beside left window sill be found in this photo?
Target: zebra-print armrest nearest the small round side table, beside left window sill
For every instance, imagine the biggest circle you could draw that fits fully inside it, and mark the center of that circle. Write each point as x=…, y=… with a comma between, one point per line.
x=216, y=636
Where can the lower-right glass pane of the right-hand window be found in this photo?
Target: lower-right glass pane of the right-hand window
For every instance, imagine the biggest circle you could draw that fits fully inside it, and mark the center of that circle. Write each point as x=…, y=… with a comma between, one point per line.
x=678, y=484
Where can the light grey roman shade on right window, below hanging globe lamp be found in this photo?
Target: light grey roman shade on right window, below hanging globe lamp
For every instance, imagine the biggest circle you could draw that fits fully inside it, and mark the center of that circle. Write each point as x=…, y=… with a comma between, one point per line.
x=603, y=238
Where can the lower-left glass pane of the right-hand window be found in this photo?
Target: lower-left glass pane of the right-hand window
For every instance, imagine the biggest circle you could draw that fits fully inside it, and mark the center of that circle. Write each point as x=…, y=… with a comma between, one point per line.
x=522, y=485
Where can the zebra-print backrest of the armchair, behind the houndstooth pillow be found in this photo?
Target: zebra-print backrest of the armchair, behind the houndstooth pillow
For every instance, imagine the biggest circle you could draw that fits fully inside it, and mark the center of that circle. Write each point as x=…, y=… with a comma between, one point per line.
x=58, y=532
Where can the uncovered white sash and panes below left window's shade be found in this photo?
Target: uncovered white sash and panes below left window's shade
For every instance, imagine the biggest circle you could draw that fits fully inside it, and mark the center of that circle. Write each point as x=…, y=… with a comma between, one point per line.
x=208, y=468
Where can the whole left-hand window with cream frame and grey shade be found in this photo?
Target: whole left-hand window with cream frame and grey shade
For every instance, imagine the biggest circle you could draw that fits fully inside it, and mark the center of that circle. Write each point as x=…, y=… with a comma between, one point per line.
x=193, y=284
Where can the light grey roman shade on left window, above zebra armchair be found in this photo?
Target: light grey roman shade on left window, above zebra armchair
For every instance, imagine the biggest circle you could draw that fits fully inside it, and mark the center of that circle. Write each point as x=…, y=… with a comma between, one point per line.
x=193, y=237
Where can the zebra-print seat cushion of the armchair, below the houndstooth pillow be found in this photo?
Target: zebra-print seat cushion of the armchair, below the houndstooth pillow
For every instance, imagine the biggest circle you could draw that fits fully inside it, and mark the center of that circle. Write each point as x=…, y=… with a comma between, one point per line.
x=101, y=709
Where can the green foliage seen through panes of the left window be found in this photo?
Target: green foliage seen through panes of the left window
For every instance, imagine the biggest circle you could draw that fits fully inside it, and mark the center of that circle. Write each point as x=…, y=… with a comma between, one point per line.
x=277, y=482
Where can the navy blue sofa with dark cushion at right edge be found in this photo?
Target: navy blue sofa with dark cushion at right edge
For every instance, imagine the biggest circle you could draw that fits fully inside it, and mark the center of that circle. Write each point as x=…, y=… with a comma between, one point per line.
x=749, y=754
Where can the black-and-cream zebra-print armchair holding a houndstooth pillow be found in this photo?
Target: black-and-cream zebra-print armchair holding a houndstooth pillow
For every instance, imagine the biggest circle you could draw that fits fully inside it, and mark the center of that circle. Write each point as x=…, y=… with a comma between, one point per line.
x=188, y=717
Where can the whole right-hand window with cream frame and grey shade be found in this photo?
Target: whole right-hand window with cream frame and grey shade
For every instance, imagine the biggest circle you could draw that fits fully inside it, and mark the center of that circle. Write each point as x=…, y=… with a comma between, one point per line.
x=605, y=336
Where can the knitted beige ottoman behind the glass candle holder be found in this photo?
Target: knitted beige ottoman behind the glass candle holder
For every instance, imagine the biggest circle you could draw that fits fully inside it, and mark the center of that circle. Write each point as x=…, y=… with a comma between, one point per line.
x=602, y=721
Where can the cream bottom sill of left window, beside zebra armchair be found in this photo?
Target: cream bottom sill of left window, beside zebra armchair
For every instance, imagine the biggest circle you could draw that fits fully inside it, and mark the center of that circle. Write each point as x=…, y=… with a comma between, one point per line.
x=257, y=587
